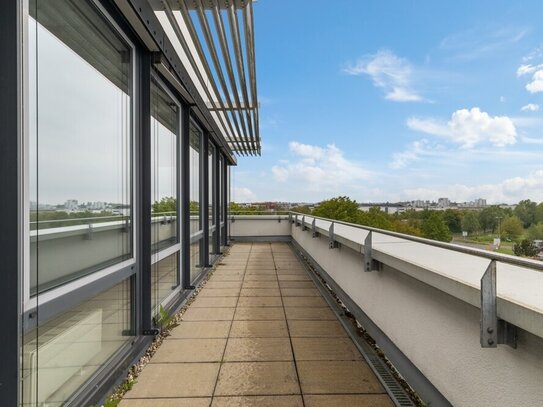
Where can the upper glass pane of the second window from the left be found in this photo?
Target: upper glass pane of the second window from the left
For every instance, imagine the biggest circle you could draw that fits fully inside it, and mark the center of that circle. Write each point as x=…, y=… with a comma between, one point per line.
x=164, y=147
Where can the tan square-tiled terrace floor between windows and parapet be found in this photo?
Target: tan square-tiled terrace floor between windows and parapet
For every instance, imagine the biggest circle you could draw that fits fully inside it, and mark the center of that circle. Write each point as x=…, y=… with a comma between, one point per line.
x=258, y=334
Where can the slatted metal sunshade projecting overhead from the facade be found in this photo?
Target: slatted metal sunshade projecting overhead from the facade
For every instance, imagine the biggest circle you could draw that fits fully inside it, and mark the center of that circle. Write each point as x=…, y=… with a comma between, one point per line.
x=217, y=37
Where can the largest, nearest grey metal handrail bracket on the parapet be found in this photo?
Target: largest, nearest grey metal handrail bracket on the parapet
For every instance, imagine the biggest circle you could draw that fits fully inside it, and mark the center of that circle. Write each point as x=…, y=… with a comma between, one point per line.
x=494, y=331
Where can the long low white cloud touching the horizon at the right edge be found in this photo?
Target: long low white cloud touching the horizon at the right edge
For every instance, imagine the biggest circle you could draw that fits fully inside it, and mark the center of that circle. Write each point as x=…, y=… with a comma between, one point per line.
x=510, y=190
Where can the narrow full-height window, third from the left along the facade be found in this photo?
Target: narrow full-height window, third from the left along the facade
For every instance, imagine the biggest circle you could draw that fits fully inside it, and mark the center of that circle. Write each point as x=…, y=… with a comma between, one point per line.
x=196, y=230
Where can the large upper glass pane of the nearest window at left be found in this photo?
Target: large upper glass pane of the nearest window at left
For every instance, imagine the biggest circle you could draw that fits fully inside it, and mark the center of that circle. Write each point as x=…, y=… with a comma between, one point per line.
x=80, y=124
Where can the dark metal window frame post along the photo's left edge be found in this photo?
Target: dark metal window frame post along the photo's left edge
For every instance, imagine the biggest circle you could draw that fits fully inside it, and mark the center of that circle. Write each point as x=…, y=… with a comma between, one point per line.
x=12, y=198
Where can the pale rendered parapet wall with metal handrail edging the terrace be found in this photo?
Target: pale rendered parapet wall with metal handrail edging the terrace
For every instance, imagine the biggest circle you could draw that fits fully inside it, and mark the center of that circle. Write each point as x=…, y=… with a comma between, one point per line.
x=430, y=305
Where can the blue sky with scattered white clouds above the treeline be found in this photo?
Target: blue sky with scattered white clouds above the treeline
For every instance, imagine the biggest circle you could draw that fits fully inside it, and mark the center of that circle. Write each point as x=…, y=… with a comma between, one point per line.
x=397, y=100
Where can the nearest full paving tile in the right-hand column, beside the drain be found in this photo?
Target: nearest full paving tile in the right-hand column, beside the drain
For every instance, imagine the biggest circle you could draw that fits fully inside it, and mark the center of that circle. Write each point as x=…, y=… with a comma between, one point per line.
x=337, y=377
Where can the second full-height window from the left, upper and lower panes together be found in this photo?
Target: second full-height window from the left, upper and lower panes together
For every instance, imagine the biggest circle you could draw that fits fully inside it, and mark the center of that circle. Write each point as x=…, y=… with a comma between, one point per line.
x=165, y=130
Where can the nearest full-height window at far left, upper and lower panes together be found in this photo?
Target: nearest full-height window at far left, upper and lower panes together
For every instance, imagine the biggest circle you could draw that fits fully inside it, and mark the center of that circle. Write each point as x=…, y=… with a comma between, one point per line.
x=79, y=163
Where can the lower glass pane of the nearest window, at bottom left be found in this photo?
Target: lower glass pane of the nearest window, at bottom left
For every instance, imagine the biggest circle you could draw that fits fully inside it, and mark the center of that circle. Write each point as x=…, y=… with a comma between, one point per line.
x=62, y=354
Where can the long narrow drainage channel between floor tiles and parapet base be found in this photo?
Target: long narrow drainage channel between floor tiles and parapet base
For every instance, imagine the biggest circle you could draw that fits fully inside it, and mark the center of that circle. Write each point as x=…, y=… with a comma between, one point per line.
x=380, y=368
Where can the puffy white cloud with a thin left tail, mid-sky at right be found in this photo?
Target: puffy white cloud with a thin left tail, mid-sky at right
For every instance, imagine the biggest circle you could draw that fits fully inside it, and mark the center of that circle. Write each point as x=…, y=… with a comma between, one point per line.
x=469, y=128
